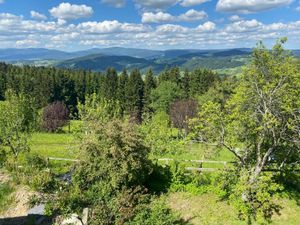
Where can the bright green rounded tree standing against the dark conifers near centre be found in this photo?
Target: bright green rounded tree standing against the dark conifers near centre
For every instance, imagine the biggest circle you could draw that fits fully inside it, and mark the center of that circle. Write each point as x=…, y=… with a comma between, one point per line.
x=166, y=93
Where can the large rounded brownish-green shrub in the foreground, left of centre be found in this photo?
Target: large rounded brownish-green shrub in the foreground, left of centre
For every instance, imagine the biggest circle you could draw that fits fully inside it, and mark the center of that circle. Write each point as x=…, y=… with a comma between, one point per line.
x=109, y=178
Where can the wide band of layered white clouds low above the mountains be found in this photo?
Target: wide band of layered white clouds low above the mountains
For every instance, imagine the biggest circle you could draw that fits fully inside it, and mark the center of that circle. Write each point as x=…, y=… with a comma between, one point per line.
x=17, y=31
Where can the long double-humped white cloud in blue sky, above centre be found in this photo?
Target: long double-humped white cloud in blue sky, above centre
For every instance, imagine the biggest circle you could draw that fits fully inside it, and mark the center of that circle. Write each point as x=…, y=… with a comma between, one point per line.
x=160, y=17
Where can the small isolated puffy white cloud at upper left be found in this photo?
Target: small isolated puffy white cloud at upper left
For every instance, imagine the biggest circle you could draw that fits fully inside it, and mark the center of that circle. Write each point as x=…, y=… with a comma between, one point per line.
x=68, y=11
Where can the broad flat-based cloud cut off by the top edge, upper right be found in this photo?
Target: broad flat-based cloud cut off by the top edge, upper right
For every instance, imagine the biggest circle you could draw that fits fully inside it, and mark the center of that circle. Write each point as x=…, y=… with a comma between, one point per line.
x=249, y=6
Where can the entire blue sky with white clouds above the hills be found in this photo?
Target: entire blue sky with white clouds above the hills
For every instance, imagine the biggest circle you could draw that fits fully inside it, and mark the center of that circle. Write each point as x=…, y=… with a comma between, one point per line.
x=152, y=24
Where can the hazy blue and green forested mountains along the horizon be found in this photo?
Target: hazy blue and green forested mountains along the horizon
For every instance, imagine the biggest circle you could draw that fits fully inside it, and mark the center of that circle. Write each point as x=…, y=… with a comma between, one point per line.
x=100, y=59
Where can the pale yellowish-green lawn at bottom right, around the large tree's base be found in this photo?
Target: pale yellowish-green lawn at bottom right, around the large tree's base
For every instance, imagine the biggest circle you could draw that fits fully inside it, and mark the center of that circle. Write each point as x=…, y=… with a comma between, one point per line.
x=207, y=209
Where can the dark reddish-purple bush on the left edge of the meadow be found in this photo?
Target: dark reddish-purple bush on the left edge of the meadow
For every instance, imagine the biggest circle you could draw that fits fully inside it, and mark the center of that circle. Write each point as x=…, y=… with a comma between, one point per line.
x=55, y=116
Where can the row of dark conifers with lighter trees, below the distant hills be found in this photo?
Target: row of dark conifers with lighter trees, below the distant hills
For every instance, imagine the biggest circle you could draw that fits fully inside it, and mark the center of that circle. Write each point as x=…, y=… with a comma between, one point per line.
x=134, y=92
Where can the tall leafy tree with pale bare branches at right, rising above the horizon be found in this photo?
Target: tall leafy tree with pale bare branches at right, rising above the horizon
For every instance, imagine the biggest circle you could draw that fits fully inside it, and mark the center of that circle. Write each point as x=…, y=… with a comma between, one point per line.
x=260, y=123
